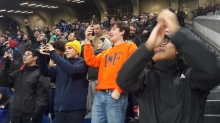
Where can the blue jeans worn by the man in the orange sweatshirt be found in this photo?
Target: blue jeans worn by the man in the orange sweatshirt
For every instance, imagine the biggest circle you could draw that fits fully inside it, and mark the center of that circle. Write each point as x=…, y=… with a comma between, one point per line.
x=106, y=109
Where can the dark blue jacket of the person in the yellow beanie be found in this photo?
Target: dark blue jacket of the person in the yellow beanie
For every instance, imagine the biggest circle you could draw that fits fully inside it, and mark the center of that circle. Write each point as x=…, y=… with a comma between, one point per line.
x=71, y=83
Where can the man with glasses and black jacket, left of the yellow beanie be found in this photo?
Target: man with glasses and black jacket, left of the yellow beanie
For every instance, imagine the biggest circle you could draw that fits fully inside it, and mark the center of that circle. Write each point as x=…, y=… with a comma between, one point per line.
x=31, y=90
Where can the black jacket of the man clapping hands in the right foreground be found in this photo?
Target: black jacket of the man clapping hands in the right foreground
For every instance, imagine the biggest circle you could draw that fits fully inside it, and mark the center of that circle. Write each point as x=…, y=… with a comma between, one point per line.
x=172, y=92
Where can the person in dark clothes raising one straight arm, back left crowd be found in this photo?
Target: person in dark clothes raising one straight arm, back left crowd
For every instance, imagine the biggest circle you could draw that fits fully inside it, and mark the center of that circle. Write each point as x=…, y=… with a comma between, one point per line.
x=35, y=43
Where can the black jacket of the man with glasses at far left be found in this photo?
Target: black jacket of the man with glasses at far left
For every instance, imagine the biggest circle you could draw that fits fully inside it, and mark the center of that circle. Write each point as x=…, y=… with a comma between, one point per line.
x=31, y=90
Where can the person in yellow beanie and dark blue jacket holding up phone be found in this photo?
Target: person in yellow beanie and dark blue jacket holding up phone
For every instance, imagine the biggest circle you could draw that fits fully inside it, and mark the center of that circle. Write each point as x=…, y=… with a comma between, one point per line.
x=71, y=83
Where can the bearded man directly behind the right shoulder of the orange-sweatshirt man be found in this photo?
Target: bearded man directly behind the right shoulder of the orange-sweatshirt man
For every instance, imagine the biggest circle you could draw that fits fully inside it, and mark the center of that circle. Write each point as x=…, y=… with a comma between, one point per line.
x=133, y=37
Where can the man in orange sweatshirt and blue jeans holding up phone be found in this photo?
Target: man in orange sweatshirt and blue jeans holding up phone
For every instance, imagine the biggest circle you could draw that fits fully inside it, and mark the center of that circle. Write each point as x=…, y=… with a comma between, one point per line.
x=110, y=102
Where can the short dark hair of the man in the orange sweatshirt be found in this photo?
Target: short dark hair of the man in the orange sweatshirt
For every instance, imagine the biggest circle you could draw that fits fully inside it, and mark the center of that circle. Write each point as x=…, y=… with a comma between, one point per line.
x=123, y=26
